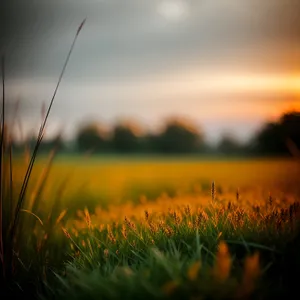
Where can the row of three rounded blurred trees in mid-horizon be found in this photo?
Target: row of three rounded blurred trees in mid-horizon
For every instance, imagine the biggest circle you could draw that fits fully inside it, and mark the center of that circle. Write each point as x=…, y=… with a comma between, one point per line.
x=177, y=137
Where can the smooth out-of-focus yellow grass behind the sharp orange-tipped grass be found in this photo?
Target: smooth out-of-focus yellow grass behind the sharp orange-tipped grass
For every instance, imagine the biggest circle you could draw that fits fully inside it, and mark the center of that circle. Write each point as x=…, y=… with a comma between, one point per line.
x=97, y=180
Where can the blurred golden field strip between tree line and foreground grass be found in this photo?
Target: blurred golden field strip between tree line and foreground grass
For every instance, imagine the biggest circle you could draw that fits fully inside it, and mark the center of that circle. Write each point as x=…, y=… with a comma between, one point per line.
x=119, y=186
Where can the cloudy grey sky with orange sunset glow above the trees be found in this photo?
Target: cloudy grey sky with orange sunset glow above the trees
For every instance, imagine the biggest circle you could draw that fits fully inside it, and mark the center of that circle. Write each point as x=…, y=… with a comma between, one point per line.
x=226, y=65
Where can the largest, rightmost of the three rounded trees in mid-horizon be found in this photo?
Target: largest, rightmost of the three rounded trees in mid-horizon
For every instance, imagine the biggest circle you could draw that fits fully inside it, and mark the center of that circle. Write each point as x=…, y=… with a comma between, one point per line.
x=179, y=137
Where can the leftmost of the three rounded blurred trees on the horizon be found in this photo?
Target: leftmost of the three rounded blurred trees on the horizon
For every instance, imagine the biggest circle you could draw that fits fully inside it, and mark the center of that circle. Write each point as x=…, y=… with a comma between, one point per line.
x=91, y=138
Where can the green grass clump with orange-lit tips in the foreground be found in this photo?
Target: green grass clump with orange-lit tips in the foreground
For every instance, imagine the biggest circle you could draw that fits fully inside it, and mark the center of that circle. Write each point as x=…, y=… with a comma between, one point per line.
x=220, y=251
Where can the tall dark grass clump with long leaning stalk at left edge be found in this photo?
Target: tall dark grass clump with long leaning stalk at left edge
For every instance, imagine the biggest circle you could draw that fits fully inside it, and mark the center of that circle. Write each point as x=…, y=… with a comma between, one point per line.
x=24, y=256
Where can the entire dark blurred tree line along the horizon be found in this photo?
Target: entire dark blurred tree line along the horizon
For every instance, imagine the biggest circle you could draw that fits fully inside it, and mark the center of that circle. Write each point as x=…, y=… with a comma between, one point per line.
x=281, y=137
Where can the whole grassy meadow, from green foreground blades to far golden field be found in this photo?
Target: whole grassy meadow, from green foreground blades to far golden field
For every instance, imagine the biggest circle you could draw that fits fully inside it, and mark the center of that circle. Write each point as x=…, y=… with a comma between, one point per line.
x=158, y=228
